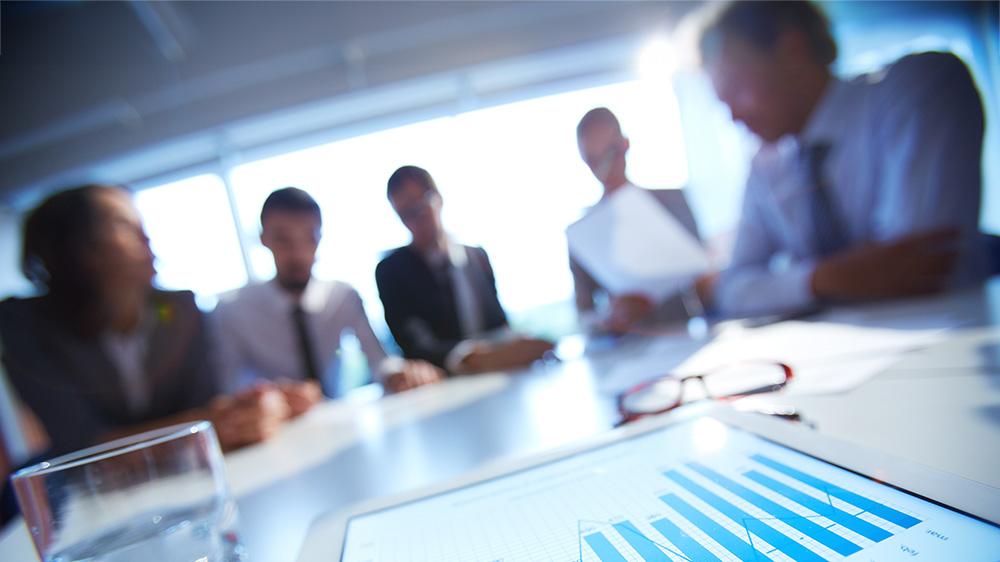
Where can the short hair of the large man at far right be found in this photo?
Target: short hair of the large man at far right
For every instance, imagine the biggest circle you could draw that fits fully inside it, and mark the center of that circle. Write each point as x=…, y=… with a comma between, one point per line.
x=762, y=23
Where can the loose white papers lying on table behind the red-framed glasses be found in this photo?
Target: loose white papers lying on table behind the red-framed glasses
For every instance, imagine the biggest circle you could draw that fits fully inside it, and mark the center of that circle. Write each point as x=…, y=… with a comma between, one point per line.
x=826, y=357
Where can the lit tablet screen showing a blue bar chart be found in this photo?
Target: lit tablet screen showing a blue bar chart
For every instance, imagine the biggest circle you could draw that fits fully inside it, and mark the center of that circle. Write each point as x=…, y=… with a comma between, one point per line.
x=697, y=491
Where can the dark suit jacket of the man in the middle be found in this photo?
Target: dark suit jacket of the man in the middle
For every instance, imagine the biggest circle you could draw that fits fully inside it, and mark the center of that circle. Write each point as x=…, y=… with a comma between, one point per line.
x=420, y=309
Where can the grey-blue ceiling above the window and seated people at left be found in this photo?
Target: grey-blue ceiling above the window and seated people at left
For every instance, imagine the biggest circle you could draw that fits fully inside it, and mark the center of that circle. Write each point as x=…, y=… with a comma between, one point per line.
x=89, y=82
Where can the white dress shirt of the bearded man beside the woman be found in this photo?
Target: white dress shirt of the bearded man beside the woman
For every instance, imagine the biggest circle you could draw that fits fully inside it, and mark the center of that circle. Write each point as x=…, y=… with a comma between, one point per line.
x=257, y=339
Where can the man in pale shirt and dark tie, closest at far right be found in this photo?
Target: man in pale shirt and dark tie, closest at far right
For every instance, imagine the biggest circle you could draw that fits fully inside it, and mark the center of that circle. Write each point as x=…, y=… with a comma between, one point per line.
x=862, y=189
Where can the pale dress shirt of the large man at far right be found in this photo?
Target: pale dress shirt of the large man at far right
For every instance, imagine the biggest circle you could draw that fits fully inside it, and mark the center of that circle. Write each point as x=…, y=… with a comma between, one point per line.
x=905, y=157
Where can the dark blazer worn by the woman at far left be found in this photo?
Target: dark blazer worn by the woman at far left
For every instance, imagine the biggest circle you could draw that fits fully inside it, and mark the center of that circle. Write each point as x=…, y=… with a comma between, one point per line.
x=75, y=389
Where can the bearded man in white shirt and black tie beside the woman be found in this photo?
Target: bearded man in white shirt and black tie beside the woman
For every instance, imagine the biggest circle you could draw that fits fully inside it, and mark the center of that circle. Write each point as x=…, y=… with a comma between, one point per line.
x=289, y=328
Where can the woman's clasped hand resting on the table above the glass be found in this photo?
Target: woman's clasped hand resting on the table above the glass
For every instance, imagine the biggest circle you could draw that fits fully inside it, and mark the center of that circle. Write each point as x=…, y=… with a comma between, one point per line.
x=249, y=417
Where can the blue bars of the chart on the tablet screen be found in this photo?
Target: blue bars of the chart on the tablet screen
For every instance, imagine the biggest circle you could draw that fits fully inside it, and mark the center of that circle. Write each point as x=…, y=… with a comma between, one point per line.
x=761, y=528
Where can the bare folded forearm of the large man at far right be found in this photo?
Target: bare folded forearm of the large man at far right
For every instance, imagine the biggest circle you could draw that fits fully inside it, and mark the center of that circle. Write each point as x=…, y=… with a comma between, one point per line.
x=914, y=265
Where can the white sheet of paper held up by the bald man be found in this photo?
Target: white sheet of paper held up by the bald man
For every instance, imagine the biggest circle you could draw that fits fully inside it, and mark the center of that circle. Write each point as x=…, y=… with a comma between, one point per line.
x=631, y=244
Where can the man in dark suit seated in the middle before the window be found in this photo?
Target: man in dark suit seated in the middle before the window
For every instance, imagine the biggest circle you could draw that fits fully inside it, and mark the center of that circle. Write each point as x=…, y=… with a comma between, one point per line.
x=440, y=297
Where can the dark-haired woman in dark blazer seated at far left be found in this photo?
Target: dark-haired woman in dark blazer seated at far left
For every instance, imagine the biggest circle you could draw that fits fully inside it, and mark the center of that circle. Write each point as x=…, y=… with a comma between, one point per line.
x=102, y=353
